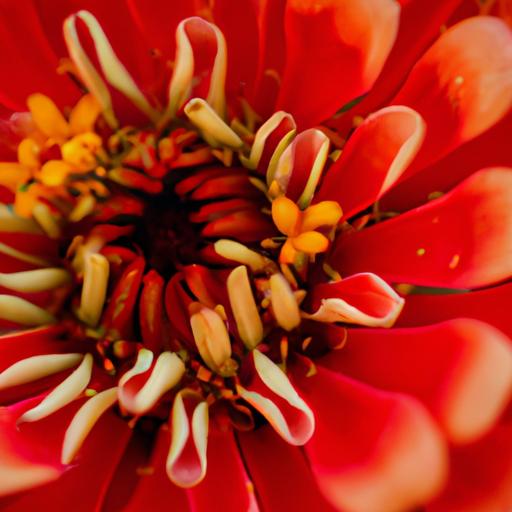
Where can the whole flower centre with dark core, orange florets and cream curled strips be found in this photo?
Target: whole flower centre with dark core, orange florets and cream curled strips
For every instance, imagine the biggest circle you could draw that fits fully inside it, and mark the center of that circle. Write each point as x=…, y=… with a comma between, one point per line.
x=183, y=256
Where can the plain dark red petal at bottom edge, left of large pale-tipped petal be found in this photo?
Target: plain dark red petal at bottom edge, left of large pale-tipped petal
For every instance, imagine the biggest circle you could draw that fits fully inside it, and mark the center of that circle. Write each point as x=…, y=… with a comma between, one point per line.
x=281, y=473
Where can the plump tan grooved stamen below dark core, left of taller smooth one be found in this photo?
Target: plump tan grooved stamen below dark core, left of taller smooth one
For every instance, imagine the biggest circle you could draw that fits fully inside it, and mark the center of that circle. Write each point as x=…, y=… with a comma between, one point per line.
x=212, y=340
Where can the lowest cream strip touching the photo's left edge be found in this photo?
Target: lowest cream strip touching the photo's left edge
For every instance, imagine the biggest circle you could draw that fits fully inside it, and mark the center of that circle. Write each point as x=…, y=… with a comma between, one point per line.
x=37, y=367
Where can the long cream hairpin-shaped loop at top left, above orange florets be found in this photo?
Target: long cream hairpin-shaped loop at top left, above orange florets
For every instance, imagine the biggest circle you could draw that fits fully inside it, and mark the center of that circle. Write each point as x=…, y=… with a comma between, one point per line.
x=115, y=72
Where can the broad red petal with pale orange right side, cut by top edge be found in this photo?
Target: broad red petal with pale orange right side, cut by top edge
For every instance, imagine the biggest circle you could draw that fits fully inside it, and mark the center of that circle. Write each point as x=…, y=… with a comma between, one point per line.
x=334, y=52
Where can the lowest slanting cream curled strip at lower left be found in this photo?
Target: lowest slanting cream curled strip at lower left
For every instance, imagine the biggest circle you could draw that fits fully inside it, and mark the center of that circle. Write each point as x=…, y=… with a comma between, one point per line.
x=83, y=422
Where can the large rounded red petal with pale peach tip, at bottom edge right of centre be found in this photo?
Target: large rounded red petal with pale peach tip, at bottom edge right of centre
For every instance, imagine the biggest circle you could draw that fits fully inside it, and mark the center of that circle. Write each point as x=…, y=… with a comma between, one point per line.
x=371, y=450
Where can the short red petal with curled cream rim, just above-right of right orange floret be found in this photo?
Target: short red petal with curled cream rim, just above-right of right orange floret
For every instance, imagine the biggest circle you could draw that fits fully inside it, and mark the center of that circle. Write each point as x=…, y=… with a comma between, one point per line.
x=374, y=158
